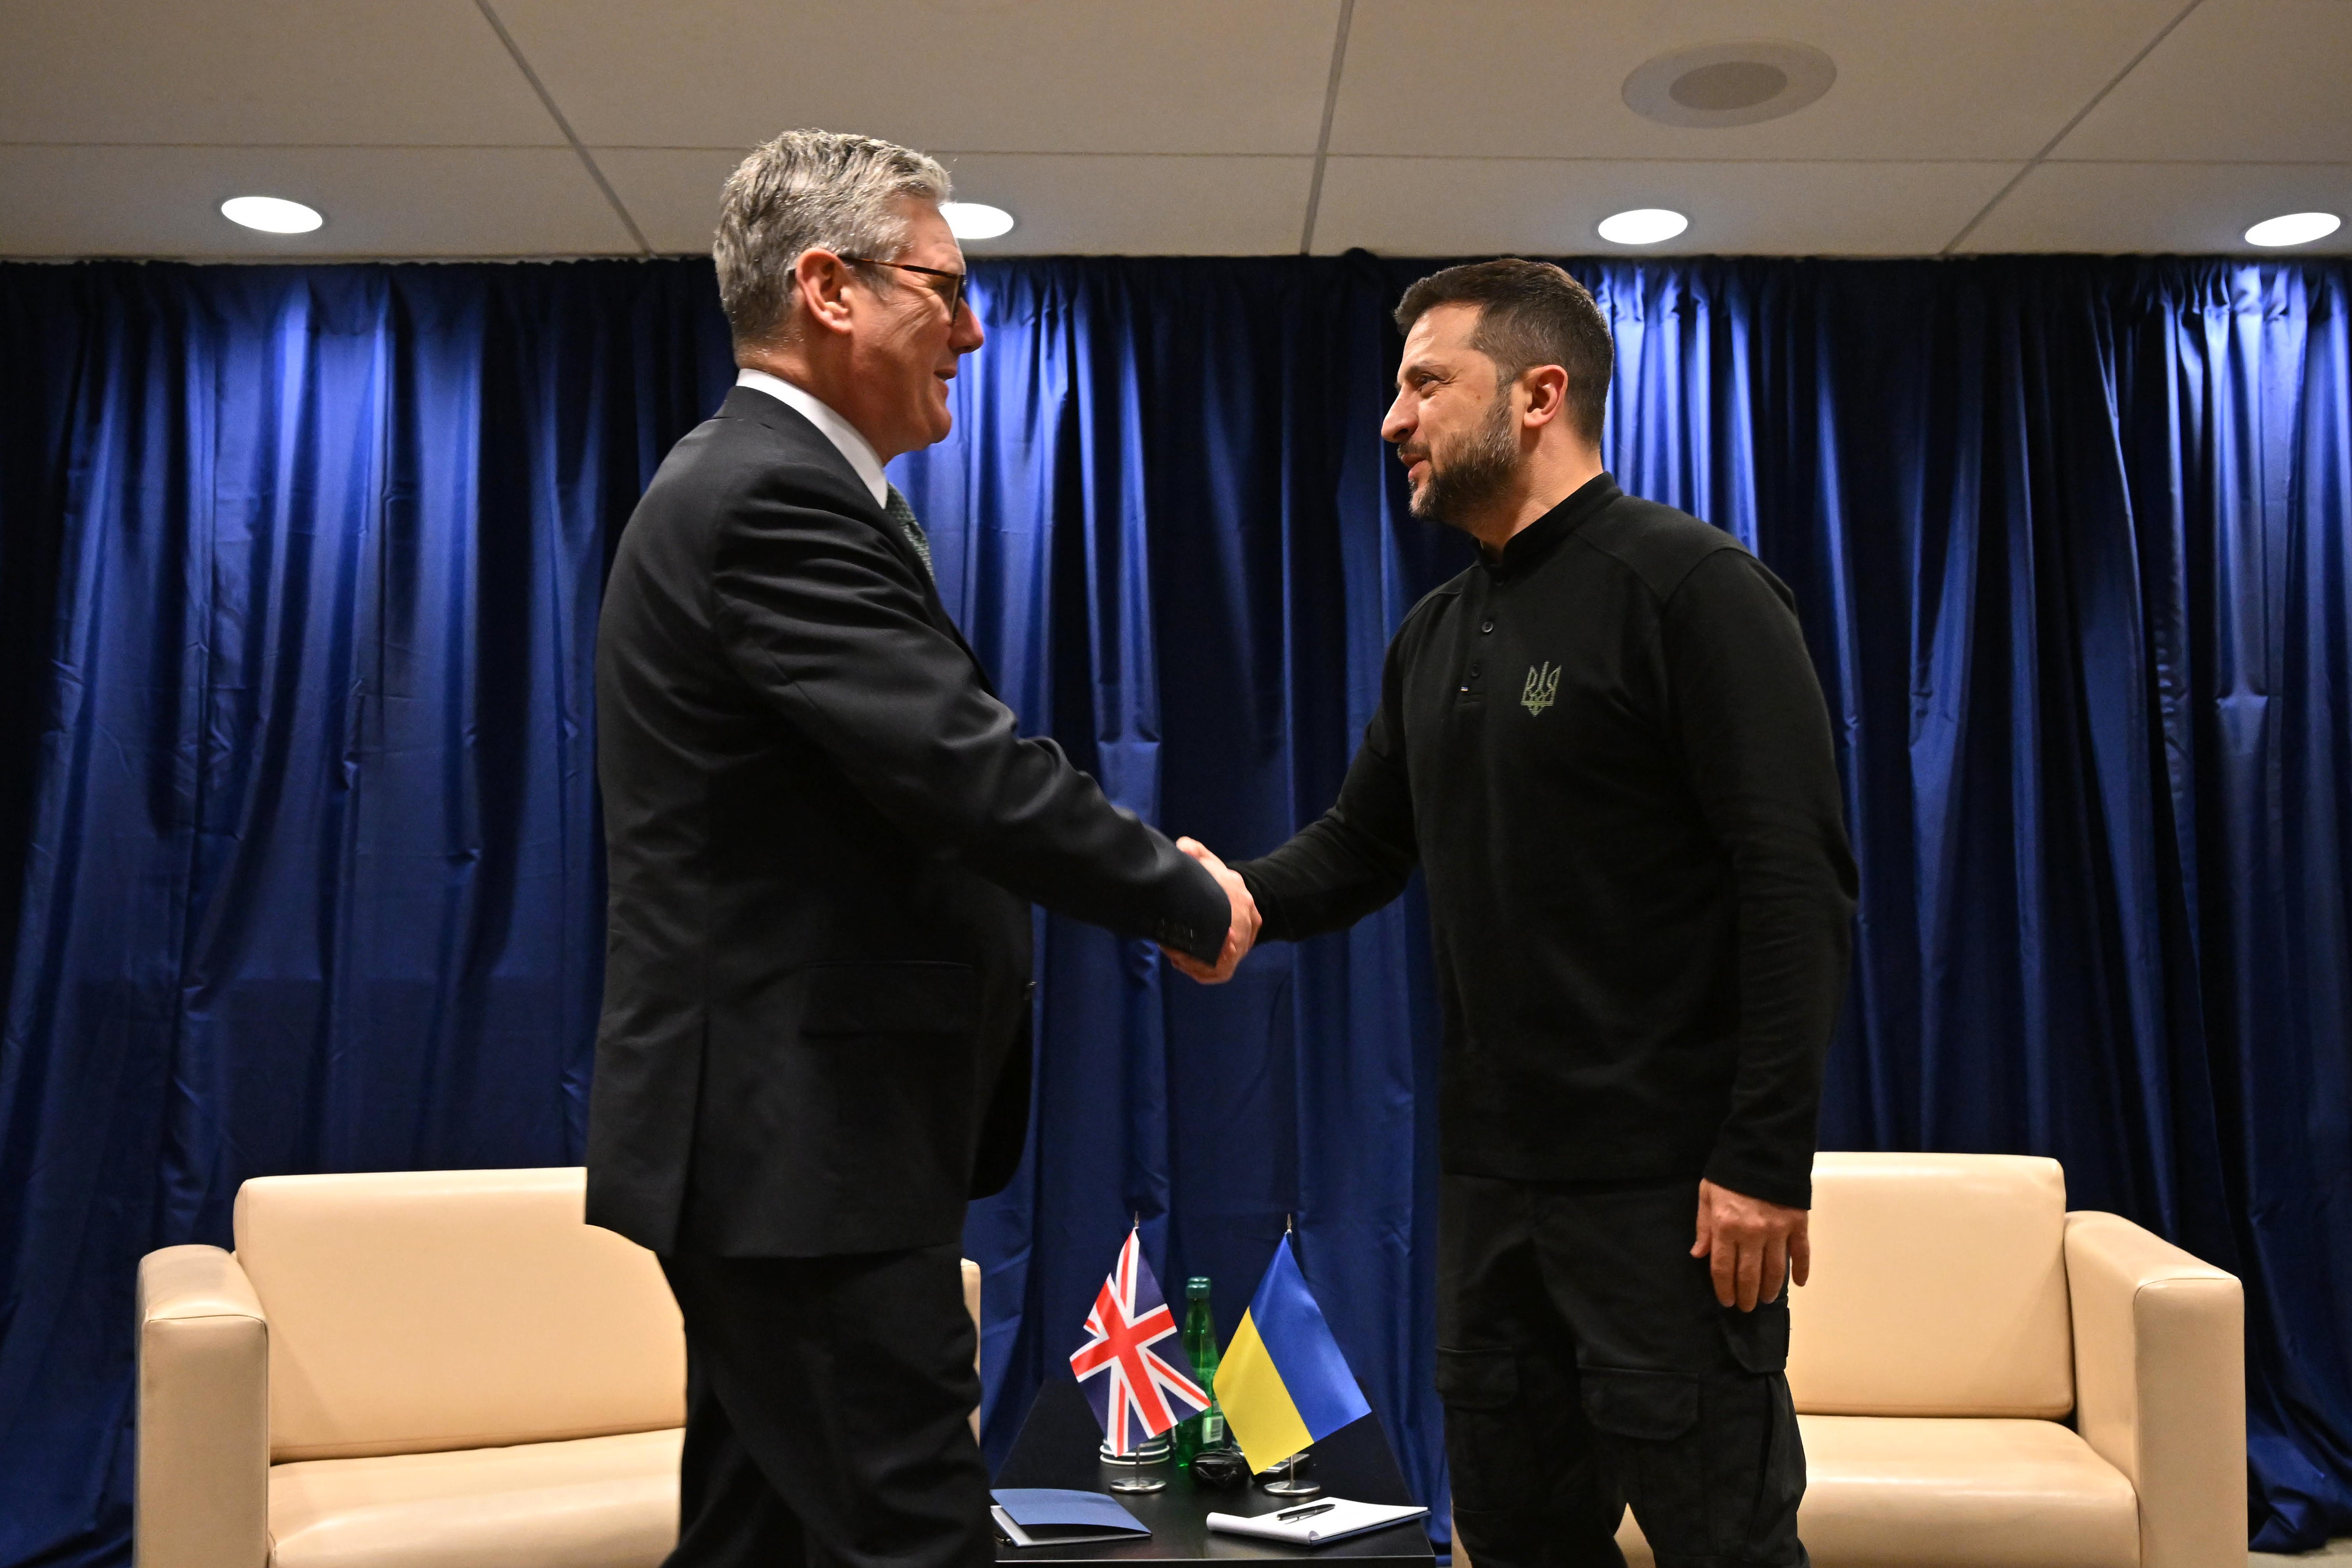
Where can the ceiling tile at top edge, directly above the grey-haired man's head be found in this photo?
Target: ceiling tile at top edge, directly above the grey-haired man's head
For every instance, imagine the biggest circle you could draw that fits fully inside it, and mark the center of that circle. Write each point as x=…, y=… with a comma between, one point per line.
x=1010, y=76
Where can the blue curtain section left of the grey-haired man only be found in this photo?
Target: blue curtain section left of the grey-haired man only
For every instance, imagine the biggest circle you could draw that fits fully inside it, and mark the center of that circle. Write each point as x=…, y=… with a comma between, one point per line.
x=300, y=579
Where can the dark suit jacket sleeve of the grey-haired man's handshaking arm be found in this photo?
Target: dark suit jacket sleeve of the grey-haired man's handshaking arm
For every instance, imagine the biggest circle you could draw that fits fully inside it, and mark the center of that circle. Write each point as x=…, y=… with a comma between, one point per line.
x=829, y=624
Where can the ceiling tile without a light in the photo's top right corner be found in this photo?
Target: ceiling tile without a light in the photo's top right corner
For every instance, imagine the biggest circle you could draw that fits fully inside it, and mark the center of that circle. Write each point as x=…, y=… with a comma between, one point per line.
x=2257, y=81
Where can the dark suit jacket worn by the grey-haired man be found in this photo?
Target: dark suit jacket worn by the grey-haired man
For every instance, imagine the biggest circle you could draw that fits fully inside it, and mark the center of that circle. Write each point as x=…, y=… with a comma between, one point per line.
x=822, y=833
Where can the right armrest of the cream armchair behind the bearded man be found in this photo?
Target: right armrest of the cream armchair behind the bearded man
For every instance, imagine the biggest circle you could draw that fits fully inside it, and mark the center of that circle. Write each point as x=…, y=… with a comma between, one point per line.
x=2160, y=1386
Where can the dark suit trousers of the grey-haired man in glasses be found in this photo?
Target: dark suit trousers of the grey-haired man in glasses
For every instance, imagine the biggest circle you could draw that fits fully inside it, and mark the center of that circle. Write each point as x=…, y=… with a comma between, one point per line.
x=829, y=1414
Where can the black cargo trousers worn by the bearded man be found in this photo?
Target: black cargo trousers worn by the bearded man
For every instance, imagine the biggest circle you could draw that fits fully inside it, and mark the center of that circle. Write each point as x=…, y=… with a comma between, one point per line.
x=1584, y=1365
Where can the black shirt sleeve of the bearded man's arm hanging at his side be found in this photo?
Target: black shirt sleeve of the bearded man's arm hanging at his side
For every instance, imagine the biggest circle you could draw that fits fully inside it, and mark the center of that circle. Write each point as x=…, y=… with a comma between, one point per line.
x=1753, y=730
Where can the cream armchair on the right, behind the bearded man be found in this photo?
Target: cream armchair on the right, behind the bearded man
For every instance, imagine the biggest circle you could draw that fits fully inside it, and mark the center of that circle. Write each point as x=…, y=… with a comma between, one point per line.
x=1986, y=1381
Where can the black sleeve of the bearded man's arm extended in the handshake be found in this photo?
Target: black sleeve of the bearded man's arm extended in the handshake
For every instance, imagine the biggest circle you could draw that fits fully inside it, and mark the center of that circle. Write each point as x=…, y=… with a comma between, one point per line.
x=1358, y=855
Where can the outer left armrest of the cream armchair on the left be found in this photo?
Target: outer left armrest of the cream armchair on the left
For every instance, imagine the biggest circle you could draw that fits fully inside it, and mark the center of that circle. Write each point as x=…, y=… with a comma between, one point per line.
x=203, y=1496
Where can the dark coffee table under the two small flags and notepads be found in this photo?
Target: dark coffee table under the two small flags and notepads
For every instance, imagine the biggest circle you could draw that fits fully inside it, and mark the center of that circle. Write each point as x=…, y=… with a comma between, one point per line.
x=1057, y=1447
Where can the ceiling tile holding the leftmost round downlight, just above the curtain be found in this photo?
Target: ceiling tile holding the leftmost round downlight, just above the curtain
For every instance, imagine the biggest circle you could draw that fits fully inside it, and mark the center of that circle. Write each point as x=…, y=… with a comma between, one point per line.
x=380, y=203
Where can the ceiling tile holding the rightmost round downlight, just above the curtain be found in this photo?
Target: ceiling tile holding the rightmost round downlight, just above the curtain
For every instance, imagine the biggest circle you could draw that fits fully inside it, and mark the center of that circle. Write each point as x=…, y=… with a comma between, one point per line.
x=2165, y=208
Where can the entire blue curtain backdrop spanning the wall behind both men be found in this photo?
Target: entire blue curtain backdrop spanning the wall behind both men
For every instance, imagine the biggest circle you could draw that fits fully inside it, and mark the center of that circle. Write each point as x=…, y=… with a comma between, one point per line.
x=298, y=594
